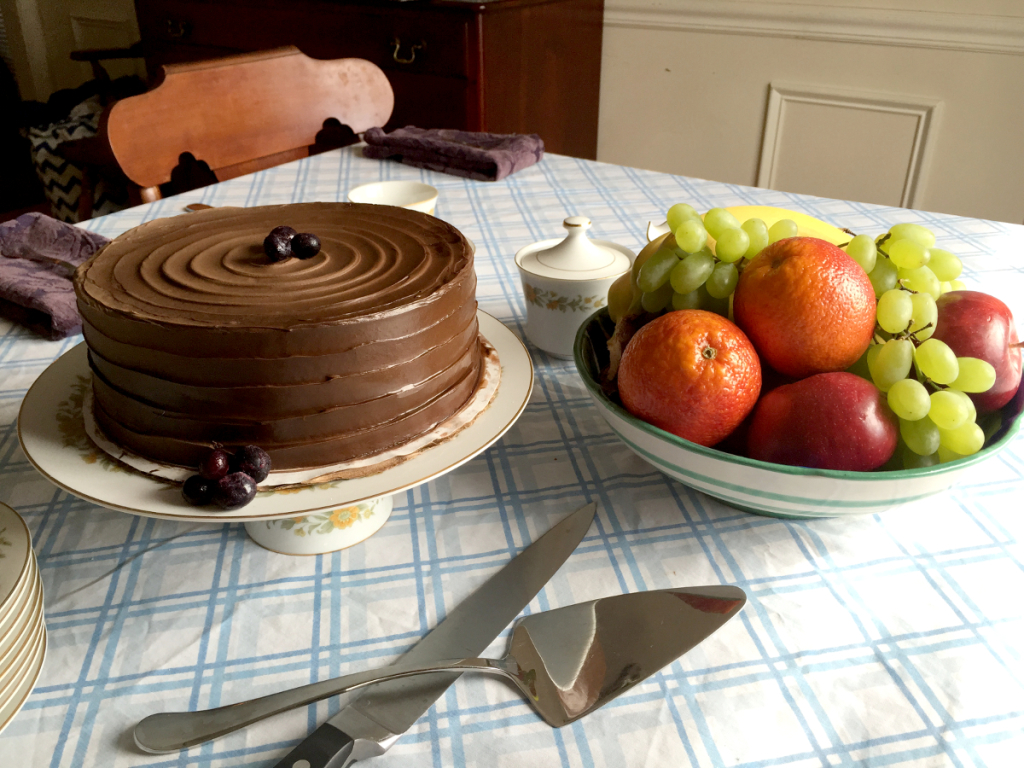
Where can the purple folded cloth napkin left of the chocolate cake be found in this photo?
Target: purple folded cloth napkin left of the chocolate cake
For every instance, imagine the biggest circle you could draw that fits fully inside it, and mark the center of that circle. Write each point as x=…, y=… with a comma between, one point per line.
x=38, y=259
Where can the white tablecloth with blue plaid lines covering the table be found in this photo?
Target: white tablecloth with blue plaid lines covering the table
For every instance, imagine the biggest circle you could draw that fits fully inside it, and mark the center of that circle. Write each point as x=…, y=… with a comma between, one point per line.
x=889, y=639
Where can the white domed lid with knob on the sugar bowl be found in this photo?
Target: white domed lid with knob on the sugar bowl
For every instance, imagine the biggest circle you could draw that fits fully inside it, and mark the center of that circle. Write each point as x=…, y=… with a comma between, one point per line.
x=576, y=258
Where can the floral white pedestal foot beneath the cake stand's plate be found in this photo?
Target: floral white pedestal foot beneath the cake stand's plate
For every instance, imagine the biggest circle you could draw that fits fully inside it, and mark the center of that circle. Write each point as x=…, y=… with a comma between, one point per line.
x=320, y=533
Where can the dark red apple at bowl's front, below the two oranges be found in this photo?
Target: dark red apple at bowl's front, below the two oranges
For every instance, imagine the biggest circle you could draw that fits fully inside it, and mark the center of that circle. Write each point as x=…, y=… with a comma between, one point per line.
x=827, y=421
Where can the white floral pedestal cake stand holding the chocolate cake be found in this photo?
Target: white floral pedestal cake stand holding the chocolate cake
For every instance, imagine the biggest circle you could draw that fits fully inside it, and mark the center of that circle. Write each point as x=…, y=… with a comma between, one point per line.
x=296, y=522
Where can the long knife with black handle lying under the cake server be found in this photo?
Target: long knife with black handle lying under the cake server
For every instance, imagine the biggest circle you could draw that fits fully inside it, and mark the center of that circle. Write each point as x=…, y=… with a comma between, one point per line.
x=370, y=724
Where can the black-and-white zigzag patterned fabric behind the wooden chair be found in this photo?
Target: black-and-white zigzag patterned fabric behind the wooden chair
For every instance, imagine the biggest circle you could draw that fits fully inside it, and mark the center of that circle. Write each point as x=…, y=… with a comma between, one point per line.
x=63, y=181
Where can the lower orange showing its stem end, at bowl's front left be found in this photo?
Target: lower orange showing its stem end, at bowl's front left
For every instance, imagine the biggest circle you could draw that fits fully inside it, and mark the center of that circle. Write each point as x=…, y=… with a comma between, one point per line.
x=692, y=373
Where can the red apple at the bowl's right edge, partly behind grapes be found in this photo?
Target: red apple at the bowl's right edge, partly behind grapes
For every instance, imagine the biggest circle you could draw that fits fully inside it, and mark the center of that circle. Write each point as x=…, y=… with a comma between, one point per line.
x=976, y=325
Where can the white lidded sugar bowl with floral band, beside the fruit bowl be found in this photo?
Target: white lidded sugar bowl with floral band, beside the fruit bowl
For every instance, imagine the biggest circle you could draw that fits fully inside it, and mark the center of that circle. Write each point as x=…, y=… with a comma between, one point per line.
x=567, y=281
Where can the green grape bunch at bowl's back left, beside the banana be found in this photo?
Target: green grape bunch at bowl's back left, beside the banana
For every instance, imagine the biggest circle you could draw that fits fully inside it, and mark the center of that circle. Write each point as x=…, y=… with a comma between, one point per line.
x=688, y=274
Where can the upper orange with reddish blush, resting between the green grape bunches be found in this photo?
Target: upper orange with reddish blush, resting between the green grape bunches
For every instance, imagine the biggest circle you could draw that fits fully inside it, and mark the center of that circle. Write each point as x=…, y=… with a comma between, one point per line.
x=807, y=307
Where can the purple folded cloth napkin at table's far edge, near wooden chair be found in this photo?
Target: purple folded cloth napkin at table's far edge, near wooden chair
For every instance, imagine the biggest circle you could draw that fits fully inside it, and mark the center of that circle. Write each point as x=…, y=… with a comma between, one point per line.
x=487, y=157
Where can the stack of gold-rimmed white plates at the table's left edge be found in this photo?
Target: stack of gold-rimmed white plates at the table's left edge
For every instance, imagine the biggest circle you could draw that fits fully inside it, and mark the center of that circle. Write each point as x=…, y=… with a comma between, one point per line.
x=23, y=634
